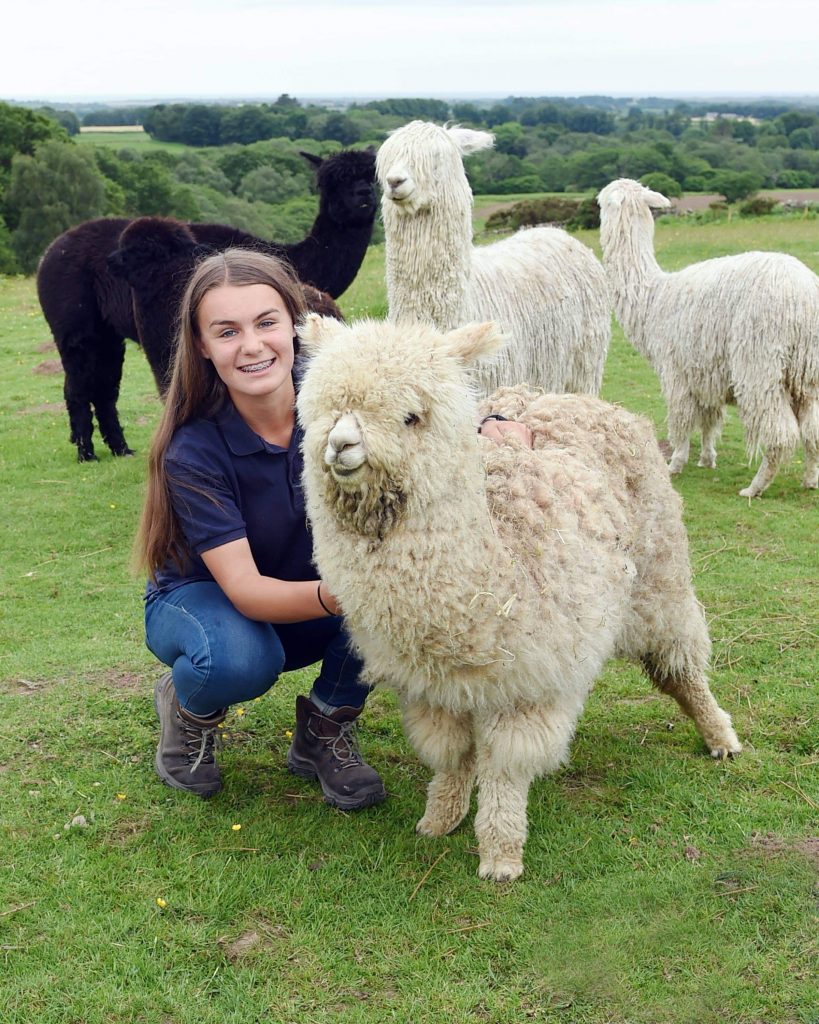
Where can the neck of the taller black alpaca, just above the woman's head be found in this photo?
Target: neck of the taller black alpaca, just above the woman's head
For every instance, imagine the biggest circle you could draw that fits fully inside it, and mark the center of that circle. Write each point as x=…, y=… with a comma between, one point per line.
x=331, y=255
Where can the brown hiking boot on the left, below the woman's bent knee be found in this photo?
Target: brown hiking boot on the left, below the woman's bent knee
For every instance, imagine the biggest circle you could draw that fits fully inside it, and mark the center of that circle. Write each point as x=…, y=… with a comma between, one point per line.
x=185, y=756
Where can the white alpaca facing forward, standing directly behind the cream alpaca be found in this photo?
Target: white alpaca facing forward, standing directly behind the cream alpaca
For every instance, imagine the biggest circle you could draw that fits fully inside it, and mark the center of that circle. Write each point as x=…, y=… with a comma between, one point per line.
x=547, y=290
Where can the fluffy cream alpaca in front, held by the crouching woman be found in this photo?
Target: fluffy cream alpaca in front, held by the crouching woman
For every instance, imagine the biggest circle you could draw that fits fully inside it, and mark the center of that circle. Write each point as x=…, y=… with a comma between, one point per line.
x=489, y=584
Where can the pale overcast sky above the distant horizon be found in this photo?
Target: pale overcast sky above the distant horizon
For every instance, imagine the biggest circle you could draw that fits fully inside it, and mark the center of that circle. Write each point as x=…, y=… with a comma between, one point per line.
x=149, y=50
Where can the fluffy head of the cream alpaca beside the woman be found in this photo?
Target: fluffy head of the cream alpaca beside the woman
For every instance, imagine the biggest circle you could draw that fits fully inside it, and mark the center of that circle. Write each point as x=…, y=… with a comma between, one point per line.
x=378, y=403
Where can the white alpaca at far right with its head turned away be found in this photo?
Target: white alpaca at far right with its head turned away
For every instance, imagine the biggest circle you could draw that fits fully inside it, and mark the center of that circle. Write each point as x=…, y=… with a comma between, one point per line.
x=738, y=329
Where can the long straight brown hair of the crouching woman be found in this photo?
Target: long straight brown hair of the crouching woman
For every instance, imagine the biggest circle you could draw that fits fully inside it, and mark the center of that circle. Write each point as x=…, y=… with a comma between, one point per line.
x=196, y=390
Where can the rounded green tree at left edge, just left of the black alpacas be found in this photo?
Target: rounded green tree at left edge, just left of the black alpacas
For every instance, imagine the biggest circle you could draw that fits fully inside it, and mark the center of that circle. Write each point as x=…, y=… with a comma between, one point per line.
x=58, y=188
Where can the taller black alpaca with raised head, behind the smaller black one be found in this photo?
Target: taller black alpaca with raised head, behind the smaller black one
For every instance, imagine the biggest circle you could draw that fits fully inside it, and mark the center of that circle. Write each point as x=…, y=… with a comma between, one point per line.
x=90, y=308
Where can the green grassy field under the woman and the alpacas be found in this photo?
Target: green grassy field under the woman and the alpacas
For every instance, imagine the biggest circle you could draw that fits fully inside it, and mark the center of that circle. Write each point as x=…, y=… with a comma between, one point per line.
x=661, y=887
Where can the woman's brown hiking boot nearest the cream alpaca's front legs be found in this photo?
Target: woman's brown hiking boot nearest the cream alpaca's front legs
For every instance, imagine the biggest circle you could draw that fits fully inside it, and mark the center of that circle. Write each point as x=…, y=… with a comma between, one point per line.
x=325, y=748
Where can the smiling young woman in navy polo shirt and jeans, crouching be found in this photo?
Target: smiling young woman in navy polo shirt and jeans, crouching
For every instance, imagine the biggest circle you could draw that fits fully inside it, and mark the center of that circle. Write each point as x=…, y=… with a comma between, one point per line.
x=233, y=598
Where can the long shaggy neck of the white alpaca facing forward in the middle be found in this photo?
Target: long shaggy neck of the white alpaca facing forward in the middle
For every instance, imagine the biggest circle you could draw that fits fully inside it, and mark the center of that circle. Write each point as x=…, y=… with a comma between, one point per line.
x=428, y=261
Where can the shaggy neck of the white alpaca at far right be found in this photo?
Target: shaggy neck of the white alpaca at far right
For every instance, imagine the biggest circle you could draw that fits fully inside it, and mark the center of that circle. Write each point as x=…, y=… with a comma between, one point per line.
x=633, y=273
